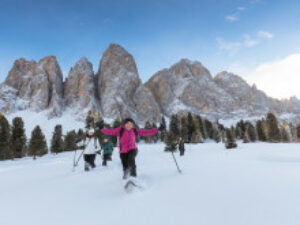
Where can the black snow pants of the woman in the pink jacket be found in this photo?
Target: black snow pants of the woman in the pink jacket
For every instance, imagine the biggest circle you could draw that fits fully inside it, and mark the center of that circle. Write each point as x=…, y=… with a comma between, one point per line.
x=128, y=162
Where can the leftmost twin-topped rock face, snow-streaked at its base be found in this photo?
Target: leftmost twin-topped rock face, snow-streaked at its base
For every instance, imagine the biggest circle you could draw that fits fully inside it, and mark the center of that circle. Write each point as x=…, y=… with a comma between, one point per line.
x=39, y=85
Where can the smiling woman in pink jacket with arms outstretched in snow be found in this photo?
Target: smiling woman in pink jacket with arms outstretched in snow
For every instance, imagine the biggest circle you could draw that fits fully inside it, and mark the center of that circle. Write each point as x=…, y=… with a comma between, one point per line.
x=127, y=143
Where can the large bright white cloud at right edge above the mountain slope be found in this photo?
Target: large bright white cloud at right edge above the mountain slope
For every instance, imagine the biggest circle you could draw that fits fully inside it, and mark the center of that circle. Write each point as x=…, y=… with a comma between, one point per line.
x=279, y=79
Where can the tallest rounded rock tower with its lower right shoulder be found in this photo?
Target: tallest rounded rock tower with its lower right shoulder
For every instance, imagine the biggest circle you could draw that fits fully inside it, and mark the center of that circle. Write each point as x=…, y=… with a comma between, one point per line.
x=121, y=92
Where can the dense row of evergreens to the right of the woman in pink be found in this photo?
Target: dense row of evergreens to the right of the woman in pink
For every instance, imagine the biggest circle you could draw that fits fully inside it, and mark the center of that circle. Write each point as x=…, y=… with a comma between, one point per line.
x=195, y=129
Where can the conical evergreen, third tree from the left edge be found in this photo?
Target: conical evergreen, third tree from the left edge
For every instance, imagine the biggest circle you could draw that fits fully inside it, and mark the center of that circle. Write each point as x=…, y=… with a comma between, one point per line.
x=37, y=144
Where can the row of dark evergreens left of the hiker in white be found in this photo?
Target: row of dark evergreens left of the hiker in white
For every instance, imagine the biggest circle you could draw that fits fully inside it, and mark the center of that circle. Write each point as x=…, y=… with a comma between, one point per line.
x=14, y=143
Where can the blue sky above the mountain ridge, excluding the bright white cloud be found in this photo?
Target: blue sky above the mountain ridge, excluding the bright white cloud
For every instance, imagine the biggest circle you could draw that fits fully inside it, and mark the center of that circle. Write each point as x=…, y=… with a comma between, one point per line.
x=237, y=35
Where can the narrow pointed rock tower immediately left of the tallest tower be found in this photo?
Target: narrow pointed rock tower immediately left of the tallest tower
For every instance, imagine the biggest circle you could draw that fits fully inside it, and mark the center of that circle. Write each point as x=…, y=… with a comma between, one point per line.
x=80, y=89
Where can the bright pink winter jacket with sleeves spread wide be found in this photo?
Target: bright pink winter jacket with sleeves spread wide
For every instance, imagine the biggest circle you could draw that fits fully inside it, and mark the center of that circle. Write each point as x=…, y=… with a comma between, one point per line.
x=127, y=141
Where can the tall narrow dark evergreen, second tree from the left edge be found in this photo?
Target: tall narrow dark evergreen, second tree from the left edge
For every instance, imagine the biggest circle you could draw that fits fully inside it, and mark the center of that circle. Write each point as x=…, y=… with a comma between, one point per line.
x=18, y=138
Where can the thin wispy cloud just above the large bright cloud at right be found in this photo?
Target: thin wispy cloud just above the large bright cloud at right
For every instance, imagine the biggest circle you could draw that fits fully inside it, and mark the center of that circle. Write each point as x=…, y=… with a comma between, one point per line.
x=232, y=48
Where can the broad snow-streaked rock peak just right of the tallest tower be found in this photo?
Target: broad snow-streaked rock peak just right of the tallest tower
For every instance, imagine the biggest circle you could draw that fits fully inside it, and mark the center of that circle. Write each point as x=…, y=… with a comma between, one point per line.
x=188, y=87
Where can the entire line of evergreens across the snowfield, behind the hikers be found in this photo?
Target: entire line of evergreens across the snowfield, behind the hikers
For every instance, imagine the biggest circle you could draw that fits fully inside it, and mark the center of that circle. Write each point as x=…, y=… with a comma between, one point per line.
x=191, y=128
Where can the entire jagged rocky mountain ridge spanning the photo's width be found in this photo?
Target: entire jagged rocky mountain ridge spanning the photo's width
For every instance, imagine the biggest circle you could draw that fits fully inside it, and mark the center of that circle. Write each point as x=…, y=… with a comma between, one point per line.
x=117, y=91
